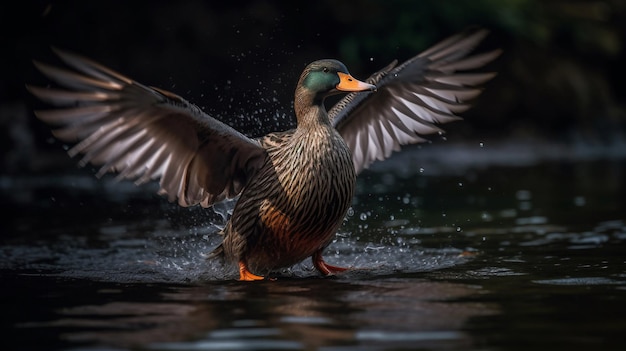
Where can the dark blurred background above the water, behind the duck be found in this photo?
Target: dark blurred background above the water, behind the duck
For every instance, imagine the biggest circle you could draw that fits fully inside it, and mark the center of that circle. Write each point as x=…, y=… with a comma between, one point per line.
x=561, y=77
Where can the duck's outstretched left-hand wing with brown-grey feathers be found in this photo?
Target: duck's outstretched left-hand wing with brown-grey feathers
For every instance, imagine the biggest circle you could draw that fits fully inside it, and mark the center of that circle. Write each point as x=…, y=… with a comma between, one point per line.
x=146, y=133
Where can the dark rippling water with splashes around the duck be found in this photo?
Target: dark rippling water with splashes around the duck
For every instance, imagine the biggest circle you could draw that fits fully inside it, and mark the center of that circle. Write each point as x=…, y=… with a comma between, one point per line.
x=468, y=250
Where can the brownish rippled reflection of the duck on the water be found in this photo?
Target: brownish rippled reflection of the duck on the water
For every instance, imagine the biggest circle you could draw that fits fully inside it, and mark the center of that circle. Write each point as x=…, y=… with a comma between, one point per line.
x=292, y=314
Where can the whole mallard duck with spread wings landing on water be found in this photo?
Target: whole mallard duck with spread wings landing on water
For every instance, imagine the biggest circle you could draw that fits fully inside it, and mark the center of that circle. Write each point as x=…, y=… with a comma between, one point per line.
x=294, y=187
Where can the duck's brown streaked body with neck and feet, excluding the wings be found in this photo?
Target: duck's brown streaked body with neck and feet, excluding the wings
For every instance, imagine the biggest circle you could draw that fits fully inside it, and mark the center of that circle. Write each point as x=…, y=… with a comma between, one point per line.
x=301, y=193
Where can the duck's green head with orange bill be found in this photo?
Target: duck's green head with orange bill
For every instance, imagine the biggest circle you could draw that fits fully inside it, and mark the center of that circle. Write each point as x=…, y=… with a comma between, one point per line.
x=327, y=77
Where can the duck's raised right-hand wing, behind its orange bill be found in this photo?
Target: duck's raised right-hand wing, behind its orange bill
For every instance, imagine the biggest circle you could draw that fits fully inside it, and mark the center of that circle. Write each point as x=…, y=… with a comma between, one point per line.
x=429, y=89
